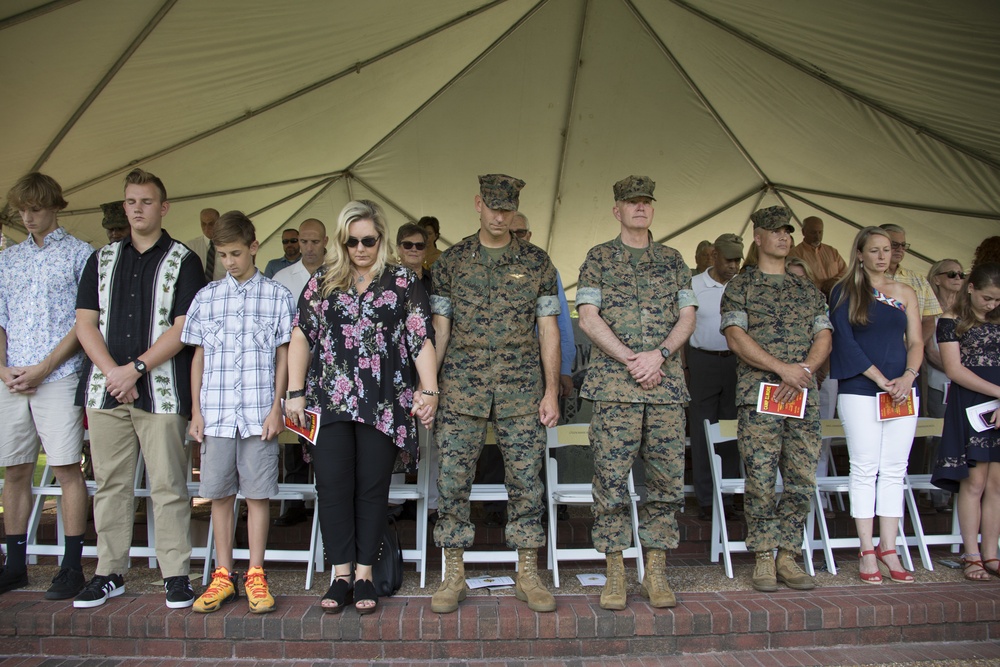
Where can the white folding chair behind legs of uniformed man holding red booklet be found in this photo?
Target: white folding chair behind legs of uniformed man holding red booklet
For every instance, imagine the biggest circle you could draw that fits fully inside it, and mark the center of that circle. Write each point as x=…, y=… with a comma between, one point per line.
x=723, y=431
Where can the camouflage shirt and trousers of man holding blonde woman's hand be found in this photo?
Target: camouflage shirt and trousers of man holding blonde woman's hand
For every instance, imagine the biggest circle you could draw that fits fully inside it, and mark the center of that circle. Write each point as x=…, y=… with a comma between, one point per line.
x=492, y=371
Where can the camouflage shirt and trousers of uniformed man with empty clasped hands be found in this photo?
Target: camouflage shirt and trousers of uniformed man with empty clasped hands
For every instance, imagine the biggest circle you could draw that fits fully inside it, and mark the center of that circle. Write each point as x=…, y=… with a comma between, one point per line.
x=640, y=303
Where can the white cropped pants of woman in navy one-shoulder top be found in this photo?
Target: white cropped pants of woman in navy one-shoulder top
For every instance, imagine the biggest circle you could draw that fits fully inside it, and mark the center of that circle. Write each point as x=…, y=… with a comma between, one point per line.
x=879, y=452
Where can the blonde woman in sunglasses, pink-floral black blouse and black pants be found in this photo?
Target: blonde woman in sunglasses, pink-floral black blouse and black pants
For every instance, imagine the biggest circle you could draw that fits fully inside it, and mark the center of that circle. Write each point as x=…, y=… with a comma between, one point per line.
x=362, y=353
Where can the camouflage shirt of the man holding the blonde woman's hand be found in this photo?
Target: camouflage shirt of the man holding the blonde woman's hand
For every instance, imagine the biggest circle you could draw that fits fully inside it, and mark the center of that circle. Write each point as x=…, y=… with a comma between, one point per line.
x=492, y=360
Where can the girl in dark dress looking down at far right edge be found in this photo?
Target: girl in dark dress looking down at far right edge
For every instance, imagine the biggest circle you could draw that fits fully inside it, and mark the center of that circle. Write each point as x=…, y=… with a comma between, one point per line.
x=969, y=460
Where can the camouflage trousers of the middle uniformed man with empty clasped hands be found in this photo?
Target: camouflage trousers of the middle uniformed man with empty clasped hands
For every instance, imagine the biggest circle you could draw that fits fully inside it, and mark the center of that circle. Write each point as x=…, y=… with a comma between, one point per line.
x=618, y=433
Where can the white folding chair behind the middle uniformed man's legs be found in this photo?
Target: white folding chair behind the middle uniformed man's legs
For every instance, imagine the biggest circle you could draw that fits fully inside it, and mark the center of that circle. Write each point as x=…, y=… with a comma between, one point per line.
x=561, y=493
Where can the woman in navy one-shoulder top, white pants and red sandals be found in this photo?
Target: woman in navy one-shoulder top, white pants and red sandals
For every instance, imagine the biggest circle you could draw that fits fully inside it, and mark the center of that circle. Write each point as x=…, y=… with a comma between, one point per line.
x=877, y=347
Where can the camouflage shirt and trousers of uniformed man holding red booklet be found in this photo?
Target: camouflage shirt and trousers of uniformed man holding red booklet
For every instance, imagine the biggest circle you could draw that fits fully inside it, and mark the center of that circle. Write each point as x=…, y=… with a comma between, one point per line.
x=782, y=314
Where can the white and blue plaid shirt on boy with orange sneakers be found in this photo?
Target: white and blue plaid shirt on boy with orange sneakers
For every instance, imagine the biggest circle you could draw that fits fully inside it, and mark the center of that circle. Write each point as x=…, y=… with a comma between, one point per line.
x=239, y=327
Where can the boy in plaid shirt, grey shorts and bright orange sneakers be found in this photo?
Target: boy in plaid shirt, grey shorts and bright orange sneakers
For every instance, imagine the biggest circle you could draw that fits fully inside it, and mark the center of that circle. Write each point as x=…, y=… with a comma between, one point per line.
x=240, y=326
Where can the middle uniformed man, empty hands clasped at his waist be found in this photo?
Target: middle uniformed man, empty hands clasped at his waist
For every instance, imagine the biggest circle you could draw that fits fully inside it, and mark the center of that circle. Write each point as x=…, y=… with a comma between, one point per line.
x=636, y=304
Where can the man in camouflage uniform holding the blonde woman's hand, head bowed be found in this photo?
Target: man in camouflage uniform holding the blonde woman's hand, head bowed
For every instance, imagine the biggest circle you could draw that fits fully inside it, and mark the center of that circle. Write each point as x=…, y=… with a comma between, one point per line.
x=491, y=290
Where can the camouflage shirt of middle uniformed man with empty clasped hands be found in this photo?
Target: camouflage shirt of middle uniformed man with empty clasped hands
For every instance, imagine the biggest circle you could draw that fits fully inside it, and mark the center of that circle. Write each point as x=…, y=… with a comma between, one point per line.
x=641, y=304
